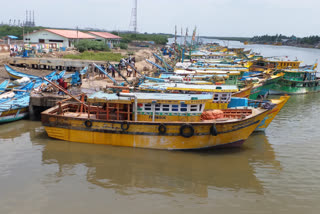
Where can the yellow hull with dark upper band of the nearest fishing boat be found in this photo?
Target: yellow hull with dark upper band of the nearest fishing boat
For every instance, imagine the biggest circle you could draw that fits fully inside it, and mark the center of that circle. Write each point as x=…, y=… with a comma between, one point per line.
x=146, y=134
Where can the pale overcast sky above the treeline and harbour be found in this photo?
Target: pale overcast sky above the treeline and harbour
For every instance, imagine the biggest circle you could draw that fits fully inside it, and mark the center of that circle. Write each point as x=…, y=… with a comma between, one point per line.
x=212, y=17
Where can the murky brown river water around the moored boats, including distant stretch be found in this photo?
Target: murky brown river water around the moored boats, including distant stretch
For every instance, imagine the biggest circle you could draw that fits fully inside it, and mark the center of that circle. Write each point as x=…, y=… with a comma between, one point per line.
x=274, y=172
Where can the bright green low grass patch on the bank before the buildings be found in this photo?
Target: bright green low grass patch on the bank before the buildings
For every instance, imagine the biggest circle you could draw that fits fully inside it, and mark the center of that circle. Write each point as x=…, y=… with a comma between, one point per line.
x=99, y=56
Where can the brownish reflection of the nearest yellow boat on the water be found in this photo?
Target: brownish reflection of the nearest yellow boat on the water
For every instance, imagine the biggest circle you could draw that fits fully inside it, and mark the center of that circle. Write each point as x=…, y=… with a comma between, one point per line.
x=131, y=171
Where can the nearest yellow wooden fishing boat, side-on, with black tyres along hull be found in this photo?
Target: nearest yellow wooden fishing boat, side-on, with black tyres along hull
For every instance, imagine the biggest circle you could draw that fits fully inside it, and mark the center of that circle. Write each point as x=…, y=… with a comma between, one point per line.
x=148, y=120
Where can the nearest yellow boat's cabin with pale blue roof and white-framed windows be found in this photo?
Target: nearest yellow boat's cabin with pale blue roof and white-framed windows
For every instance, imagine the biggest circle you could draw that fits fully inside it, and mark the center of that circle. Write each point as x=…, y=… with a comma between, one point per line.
x=149, y=106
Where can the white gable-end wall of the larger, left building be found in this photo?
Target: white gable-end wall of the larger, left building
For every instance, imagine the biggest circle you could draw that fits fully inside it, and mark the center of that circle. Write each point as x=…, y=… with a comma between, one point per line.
x=42, y=34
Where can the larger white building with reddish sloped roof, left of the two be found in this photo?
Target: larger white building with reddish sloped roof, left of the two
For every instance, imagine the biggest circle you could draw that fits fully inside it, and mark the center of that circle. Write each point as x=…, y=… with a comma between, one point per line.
x=47, y=36
